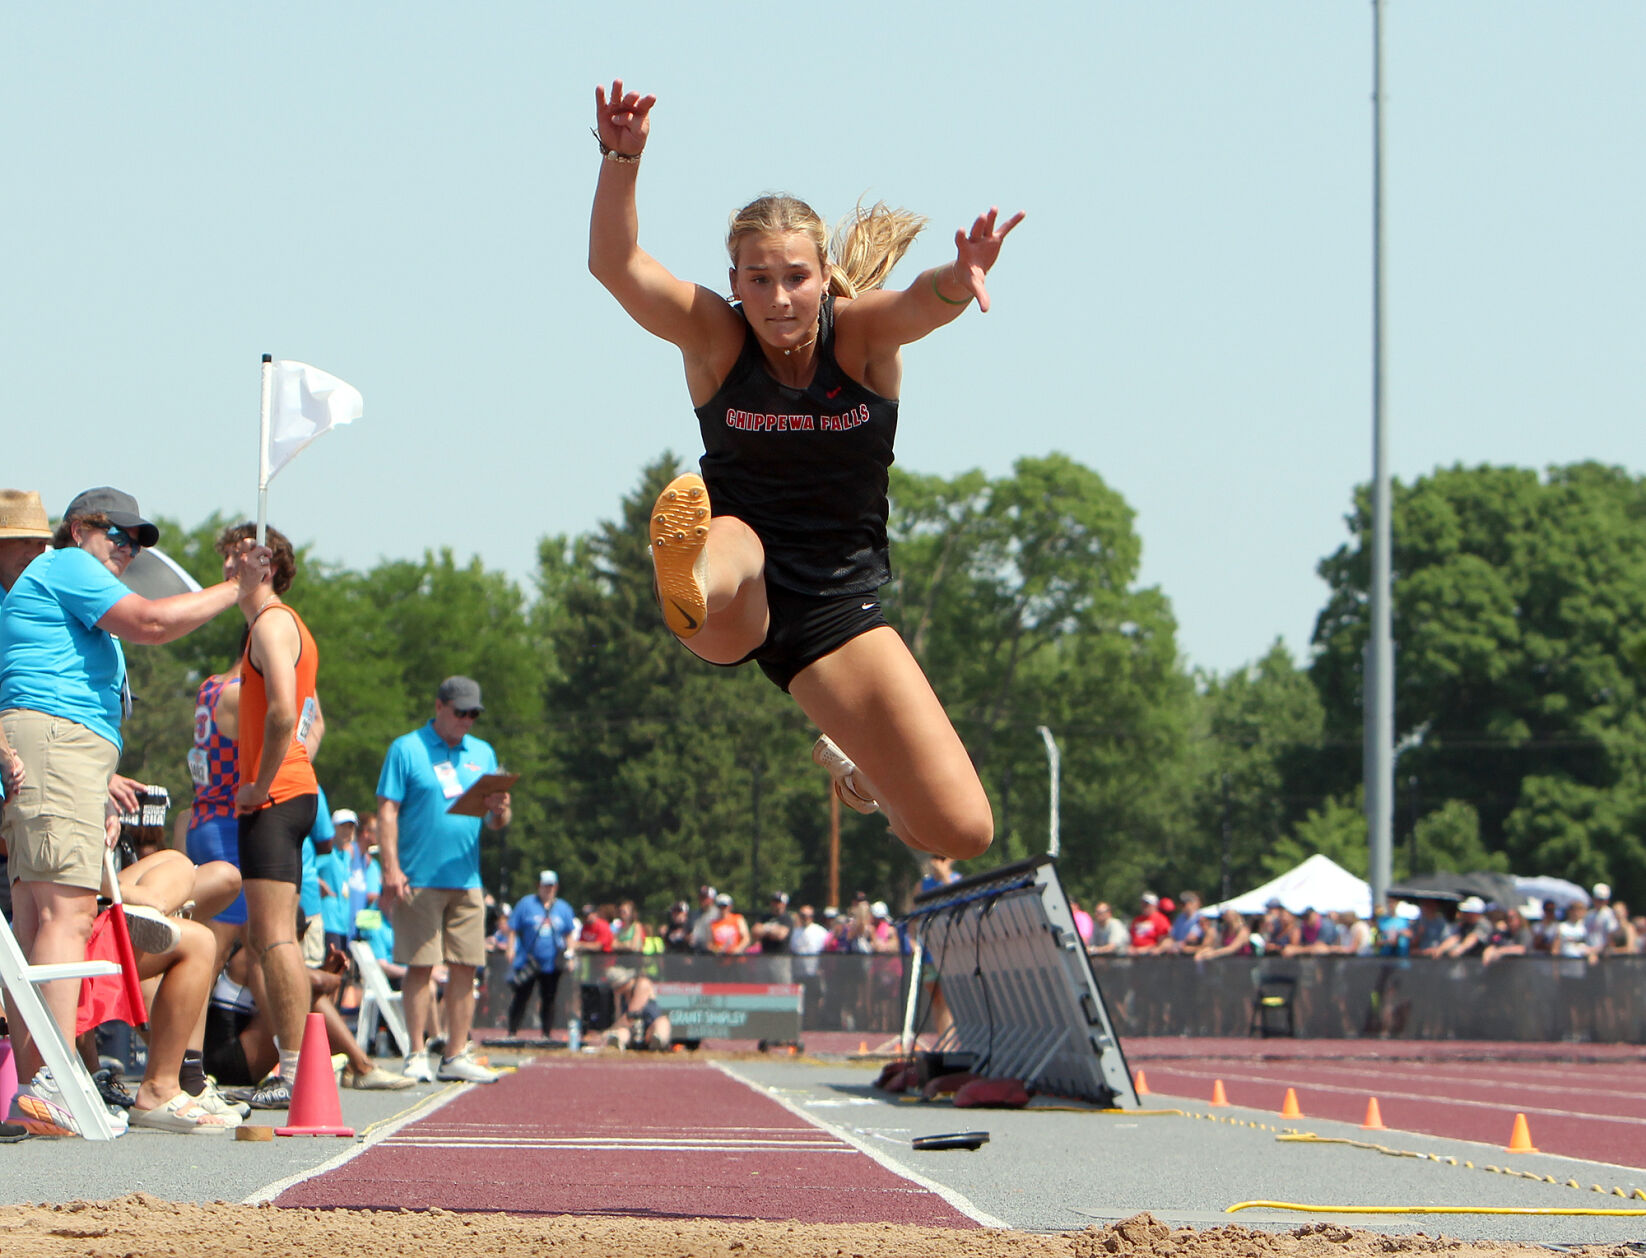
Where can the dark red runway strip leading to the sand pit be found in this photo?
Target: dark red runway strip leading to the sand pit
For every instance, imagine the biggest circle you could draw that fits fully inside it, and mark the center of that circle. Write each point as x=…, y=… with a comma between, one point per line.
x=669, y=1140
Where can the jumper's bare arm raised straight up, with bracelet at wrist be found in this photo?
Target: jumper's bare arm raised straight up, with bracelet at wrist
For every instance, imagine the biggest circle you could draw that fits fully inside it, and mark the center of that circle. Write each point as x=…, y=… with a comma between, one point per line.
x=674, y=310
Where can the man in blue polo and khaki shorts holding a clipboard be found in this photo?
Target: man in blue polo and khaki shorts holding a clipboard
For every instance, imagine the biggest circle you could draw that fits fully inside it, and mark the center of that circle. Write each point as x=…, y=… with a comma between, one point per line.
x=432, y=870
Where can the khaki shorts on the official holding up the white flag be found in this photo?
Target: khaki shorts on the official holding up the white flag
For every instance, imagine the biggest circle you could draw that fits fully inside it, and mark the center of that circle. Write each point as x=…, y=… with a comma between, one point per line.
x=55, y=827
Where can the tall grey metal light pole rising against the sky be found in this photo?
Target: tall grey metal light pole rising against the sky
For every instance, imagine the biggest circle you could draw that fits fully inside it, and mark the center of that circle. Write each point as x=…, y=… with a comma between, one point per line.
x=1379, y=692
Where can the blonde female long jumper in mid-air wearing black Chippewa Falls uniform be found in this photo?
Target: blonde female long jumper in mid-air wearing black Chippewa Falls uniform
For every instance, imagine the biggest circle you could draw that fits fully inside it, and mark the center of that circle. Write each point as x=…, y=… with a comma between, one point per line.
x=796, y=391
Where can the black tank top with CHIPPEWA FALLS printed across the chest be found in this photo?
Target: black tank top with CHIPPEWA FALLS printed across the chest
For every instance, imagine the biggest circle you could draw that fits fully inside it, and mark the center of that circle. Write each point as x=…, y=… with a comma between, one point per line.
x=806, y=468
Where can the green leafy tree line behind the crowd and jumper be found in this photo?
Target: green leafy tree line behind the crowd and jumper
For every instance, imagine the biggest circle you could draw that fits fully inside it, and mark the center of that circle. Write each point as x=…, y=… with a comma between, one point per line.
x=1520, y=653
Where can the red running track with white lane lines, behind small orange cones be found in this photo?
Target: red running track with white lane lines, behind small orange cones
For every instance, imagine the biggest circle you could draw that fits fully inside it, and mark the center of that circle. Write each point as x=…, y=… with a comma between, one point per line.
x=1593, y=1106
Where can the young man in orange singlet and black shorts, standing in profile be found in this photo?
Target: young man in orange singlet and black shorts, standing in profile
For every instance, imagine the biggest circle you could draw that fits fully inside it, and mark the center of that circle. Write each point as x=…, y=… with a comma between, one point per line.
x=279, y=796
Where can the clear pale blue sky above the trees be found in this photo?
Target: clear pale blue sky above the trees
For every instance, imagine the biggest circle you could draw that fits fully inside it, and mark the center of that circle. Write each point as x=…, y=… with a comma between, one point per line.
x=399, y=195
